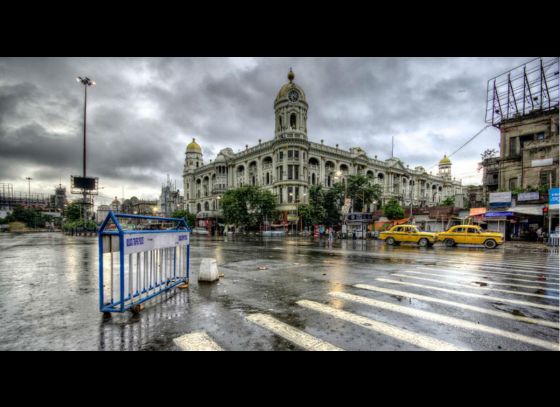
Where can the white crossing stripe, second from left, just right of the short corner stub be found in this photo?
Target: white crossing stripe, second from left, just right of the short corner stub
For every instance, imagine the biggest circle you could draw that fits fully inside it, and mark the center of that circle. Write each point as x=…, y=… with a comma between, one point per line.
x=300, y=338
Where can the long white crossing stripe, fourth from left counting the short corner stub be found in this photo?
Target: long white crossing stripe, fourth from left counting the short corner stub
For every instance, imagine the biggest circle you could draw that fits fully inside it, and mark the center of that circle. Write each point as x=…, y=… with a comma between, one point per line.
x=443, y=319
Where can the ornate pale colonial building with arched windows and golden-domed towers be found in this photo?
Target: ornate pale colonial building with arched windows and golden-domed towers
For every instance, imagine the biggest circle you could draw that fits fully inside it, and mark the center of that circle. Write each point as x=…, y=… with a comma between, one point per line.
x=290, y=163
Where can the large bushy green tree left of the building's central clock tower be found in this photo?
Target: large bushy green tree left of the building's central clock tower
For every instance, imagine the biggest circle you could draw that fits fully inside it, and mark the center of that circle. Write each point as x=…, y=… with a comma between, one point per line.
x=248, y=206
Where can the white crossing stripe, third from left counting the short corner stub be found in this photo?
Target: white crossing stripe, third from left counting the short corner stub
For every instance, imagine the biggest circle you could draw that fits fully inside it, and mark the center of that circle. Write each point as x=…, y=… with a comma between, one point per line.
x=416, y=339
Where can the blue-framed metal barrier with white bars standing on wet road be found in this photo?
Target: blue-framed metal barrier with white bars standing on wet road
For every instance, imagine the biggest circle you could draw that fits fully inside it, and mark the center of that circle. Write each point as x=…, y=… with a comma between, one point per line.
x=145, y=260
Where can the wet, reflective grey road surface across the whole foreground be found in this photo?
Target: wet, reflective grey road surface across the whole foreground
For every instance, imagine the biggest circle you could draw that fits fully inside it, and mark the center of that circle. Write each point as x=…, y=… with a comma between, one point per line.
x=287, y=294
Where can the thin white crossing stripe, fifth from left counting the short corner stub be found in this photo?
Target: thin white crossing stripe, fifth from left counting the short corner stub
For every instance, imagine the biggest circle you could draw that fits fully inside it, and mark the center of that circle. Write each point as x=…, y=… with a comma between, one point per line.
x=501, y=314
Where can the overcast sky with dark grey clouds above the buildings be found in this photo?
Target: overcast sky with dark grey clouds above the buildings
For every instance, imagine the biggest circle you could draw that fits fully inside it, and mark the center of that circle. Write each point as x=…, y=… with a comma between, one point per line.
x=144, y=111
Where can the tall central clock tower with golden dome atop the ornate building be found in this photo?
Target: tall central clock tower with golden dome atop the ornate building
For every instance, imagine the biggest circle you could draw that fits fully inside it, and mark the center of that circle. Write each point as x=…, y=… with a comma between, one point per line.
x=290, y=109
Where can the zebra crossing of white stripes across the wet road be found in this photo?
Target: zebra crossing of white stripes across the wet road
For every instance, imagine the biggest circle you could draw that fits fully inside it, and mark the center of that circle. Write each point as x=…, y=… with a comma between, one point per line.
x=514, y=304
